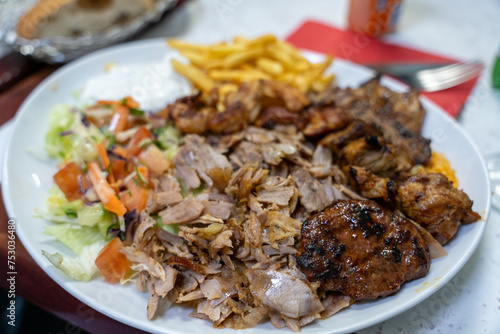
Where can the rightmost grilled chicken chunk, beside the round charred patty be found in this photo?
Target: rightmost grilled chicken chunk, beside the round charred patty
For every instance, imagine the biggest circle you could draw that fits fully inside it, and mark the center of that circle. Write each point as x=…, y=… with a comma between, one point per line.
x=432, y=202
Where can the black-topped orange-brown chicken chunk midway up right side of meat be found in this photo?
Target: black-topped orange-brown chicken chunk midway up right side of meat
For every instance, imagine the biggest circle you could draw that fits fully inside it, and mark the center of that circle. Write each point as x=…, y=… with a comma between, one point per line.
x=374, y=153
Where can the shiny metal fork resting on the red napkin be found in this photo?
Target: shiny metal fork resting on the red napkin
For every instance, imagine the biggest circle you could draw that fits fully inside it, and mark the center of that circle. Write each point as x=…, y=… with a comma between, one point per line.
x=437, y=78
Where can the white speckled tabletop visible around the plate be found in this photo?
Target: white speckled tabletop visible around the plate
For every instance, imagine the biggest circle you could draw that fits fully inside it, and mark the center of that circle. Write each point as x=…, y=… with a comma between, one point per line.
x=470, y=302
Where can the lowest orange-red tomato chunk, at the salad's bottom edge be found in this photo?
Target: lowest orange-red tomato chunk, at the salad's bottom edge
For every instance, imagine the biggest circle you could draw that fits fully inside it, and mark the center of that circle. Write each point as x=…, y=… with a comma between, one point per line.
x=111, y=262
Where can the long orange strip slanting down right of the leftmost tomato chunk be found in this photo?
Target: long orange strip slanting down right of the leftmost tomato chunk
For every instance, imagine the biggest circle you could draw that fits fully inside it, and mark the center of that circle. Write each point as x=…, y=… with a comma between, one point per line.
x=104, y=191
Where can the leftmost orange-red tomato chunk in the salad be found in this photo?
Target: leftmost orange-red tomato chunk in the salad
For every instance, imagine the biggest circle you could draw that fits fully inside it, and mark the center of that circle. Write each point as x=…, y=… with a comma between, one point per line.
x=67, y=180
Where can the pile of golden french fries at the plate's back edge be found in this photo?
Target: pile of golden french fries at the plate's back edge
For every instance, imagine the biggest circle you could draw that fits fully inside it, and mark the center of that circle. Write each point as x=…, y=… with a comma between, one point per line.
x=223, y=66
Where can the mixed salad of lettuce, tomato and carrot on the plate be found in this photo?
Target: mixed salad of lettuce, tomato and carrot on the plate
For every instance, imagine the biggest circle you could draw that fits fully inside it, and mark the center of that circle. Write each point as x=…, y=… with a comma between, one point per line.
x=108, y=153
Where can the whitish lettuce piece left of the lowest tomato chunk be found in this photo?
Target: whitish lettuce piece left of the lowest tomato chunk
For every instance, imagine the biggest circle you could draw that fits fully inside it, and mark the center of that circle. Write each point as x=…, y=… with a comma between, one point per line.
x=81, y=268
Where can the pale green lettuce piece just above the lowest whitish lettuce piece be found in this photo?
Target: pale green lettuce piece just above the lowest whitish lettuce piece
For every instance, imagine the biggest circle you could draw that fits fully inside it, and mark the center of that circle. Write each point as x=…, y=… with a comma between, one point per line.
x=75, y=236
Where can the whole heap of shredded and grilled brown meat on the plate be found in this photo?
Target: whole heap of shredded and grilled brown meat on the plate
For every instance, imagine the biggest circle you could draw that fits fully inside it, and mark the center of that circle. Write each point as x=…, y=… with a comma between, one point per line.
x=238, y=194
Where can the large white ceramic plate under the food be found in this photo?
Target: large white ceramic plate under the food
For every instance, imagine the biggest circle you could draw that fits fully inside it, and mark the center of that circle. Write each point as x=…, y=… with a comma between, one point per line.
x=27, y=178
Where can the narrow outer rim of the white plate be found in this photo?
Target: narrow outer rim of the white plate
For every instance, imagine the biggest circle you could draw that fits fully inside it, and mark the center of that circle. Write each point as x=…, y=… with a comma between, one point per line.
x=139, y=323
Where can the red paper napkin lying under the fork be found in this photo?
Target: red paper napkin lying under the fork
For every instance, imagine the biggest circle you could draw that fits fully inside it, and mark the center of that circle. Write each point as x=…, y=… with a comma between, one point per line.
x=361, y=49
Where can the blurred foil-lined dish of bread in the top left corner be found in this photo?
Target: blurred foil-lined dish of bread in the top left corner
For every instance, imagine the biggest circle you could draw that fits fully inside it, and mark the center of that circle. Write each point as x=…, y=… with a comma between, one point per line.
x=57, y=31
